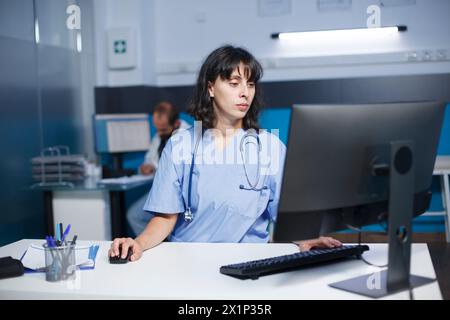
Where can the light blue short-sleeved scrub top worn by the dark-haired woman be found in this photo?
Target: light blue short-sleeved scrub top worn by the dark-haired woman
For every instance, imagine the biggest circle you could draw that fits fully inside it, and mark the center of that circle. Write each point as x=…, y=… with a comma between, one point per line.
x=223, y=212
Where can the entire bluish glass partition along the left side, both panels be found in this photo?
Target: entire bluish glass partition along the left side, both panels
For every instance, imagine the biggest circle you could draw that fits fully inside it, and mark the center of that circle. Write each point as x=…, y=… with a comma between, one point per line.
x=40, y=102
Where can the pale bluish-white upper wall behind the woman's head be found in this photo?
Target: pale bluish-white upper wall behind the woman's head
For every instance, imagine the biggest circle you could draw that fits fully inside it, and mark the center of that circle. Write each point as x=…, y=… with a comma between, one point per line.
x=177, y=35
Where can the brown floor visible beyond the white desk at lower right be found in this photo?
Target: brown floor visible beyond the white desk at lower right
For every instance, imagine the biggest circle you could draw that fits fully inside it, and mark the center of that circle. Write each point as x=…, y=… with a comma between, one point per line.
x=437, y=245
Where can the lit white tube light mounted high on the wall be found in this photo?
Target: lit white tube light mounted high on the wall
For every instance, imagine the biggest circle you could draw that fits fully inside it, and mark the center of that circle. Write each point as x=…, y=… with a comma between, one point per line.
x=349, y=33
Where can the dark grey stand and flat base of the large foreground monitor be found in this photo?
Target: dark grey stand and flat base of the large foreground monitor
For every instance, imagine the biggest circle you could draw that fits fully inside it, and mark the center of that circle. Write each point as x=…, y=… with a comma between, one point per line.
x=401, y=199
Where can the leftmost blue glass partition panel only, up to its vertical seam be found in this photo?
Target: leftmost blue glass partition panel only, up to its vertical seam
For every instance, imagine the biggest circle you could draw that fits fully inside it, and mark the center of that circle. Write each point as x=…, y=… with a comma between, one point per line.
x=21, y=214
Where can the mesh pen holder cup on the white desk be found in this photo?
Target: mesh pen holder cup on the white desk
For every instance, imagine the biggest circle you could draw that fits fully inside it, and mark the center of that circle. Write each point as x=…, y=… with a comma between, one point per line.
x=60, y=263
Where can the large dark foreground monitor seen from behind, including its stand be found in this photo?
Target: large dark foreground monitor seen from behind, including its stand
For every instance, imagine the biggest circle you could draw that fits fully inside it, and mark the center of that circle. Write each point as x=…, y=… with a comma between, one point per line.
x=354, y=165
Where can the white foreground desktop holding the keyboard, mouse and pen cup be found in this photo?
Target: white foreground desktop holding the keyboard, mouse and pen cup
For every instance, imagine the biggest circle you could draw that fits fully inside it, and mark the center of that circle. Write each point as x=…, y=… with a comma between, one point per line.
x=191, y=271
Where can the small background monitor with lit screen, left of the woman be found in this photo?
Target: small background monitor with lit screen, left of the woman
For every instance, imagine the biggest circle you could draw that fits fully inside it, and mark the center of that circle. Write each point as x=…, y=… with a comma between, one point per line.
x=116, y=134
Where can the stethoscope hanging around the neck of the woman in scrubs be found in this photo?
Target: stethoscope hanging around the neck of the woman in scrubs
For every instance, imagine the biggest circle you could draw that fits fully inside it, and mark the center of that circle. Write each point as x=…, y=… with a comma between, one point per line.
x=188, y=215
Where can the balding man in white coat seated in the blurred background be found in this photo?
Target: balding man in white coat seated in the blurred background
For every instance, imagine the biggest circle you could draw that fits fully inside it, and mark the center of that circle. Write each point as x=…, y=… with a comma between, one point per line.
x=166, y=121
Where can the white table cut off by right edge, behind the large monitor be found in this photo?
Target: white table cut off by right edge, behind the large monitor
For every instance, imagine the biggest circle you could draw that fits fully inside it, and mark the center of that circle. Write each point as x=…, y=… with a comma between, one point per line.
x=442, y=168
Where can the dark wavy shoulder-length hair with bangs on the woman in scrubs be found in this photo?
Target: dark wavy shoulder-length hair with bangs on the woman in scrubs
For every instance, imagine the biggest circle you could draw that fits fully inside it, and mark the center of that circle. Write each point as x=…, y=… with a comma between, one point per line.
x=221, y=63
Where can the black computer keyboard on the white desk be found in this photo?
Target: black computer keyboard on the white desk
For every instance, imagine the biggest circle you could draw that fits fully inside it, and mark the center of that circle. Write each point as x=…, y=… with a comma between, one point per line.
x=255, y=269
